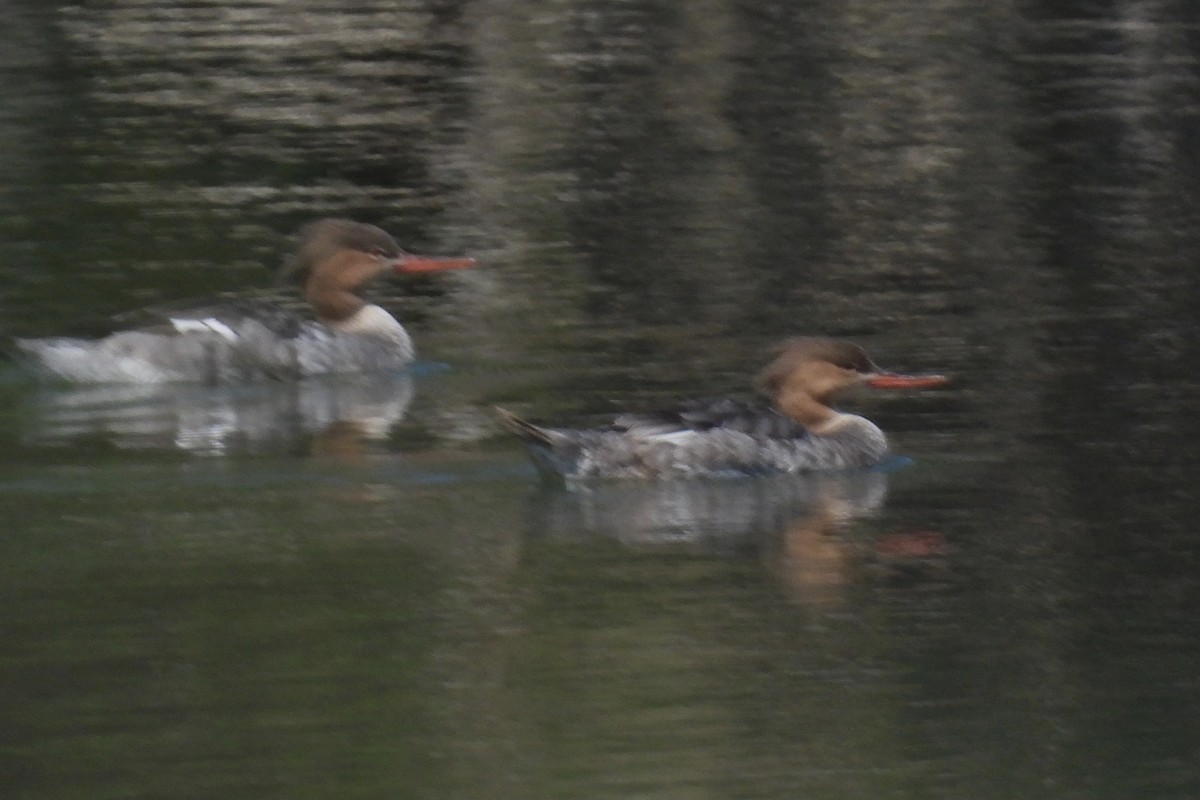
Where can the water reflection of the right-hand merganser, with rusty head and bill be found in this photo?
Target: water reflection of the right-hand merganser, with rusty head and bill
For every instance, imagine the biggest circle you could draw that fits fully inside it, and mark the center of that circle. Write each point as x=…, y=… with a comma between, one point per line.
x=807, y=530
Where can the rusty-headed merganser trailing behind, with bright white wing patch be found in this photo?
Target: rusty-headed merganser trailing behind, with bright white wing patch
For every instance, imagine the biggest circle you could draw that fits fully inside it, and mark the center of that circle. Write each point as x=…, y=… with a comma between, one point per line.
x=243, y=341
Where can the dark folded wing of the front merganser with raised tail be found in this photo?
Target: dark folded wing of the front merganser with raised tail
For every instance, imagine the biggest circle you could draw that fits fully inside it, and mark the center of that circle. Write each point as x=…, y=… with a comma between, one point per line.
x=753, y=419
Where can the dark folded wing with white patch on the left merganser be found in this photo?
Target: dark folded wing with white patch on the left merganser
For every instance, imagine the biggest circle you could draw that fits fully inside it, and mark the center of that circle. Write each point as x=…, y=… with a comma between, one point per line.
x=214, y=315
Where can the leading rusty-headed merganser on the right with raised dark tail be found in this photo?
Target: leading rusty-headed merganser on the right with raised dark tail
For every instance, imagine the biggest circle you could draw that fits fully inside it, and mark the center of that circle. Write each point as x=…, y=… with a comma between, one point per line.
x=799, y=431
